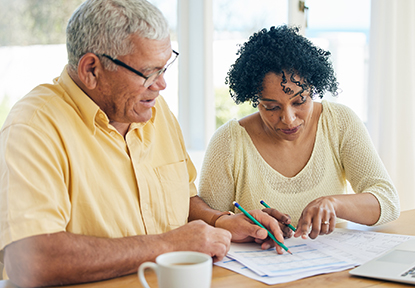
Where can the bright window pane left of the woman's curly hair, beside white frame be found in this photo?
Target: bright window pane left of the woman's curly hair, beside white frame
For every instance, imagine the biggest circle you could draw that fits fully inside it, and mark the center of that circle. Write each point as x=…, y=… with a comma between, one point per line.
x=234, y=21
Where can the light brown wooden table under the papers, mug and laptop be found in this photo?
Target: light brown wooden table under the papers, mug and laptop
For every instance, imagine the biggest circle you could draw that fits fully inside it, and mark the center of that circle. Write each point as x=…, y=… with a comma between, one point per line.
x=223, y=278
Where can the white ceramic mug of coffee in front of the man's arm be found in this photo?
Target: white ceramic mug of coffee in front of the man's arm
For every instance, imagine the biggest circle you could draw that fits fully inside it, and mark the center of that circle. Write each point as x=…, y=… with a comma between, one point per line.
x=181, y=269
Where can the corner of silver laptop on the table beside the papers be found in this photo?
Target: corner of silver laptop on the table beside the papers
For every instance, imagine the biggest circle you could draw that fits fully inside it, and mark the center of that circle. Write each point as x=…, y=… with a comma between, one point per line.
x=398, y=264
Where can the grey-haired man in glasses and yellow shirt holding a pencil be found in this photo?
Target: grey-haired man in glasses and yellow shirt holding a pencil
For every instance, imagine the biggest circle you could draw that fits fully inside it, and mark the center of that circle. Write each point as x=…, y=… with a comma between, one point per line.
x=94, y=175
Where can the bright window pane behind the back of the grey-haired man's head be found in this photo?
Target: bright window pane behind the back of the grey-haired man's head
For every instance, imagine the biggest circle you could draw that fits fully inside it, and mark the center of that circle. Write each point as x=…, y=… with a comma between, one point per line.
x=32, y=49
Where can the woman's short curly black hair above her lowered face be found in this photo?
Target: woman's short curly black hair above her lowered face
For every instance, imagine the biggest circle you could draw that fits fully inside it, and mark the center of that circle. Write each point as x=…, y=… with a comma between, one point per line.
x=279, y=49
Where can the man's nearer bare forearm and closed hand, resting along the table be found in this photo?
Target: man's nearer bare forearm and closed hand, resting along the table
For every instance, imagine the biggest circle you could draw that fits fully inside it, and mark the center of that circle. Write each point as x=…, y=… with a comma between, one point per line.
x=65, y=258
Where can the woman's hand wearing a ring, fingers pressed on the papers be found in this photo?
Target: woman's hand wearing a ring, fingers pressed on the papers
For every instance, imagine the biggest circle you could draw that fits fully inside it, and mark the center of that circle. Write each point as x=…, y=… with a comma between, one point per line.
x=317, y=218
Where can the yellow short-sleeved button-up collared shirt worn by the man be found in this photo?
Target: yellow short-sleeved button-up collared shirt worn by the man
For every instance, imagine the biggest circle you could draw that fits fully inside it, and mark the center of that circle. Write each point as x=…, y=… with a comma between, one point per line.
x=63, y=167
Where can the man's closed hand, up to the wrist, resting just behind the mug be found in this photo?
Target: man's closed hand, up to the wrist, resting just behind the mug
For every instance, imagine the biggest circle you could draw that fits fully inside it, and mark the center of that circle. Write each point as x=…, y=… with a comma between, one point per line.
x=201, y=237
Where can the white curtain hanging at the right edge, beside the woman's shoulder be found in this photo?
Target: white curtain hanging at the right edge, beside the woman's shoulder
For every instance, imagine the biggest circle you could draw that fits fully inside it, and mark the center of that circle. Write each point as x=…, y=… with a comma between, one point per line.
x=391, y=87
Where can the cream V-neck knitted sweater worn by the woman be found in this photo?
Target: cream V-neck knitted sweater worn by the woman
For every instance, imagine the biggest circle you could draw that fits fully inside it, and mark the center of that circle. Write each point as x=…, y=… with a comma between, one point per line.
x=233, y=169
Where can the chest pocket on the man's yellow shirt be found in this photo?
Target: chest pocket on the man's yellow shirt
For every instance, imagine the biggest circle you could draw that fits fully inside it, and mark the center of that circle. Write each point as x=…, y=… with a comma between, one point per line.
x=174, y=180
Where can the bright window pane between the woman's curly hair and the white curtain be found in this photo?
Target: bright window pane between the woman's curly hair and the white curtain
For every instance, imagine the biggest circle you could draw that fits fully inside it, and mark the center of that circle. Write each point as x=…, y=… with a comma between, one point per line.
x=342, y=27
